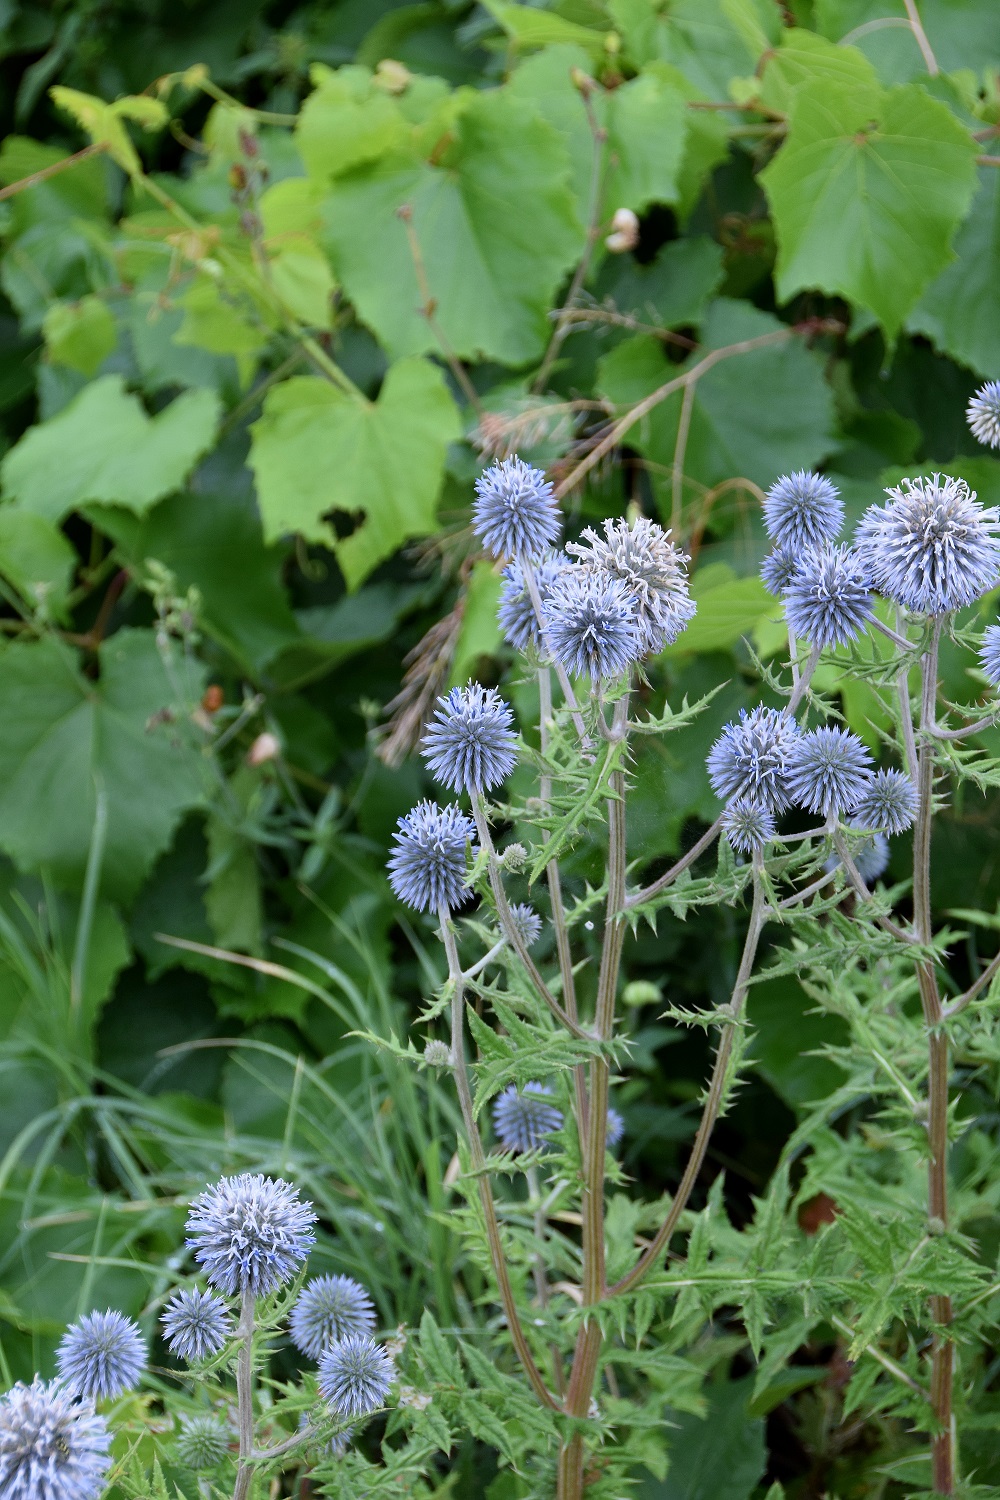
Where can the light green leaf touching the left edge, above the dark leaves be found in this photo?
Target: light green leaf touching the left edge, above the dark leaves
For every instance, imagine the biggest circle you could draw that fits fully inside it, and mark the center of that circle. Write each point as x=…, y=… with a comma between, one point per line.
x=104, y=449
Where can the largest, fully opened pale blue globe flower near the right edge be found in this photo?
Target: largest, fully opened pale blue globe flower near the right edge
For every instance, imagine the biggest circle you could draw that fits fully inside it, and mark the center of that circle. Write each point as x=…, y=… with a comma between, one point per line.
x=933, y=548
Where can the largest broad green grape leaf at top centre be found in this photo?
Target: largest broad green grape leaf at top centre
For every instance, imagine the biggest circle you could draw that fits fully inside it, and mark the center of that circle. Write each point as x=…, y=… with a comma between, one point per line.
x=493, y=221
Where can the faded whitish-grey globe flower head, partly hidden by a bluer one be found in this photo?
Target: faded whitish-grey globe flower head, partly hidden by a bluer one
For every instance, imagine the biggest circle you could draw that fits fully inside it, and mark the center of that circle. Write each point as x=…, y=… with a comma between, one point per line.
x=642, y=557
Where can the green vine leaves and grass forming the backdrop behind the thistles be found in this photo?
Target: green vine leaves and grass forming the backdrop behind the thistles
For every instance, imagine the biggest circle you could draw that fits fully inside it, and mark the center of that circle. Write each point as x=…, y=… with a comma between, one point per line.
x=236, y=478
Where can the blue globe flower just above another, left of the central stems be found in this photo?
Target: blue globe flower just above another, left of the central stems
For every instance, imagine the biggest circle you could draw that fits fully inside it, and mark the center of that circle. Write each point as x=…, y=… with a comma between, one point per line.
x=472, y=746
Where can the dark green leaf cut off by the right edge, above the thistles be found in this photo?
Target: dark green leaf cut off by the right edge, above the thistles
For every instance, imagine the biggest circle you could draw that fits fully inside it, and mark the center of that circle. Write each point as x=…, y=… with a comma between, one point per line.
x=960, y=311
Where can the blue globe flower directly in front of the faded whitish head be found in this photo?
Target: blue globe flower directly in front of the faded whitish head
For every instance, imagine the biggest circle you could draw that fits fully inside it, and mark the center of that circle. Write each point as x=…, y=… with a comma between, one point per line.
x=591, y=625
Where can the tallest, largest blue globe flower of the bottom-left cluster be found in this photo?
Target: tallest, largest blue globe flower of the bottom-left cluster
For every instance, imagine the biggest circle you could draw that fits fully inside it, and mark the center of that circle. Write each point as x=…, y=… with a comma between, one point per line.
x=251, y=1234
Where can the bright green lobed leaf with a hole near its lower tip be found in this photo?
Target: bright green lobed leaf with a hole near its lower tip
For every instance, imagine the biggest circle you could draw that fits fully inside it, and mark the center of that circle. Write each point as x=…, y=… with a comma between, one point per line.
x=317, y=451
